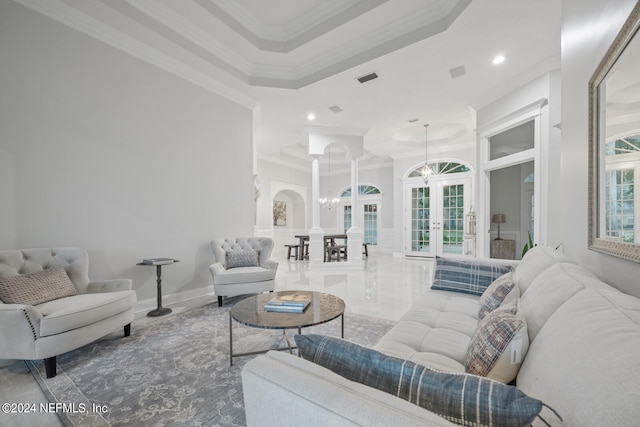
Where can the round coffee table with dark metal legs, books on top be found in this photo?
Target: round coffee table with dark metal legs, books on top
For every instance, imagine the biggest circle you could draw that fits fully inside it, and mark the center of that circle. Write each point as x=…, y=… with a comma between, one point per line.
x=251, y=312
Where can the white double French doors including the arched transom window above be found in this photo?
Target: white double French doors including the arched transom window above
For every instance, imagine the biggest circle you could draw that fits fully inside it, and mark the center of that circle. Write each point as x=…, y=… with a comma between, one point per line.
x=435, y=210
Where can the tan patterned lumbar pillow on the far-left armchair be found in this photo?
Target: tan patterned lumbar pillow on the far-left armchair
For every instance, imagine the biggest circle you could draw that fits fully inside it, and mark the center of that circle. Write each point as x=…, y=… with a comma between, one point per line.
x=36, y=288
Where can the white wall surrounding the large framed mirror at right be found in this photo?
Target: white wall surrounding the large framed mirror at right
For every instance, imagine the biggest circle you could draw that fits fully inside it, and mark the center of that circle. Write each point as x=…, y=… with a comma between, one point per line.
x=588, y=28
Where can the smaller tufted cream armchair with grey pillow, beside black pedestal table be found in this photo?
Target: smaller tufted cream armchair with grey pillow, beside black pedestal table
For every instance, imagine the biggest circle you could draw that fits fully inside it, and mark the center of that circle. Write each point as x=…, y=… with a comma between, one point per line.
x=242, y=266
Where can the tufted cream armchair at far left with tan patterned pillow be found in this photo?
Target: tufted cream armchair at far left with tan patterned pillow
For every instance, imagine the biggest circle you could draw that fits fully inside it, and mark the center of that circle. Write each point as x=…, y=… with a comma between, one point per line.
x=48, y=306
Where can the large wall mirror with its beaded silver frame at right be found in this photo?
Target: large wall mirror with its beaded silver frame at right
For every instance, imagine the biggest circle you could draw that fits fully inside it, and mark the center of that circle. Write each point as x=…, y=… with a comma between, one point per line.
x=614, y=147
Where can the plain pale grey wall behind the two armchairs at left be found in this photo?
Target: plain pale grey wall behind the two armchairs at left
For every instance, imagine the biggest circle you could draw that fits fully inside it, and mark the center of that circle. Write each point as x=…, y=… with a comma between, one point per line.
x=104, y=151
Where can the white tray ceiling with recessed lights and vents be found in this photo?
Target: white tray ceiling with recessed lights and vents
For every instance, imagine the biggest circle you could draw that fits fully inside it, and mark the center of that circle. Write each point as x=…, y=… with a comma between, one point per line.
x=289, y=58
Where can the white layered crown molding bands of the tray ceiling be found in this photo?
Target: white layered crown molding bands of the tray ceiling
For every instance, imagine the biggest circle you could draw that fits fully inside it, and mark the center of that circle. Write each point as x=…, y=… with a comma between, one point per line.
x=171, y=26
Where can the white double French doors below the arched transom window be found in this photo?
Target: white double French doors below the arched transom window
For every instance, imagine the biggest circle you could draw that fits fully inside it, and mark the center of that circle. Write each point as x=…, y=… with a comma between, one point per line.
x=435, y=216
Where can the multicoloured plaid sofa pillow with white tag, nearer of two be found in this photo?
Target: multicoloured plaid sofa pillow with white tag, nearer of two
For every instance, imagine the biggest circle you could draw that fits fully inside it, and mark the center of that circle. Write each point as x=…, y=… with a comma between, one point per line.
x=500, y=343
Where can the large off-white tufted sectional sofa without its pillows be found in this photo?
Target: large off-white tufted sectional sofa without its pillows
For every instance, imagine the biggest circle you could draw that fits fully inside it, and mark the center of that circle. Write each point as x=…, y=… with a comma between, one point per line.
x=583, y=357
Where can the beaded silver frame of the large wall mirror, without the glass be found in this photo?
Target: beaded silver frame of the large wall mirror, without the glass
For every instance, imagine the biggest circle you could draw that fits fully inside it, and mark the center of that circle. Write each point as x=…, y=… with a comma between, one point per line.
x=622, y=250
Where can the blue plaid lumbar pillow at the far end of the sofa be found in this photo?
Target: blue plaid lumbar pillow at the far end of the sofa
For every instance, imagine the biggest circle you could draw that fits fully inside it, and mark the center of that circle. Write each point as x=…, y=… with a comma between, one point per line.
x=471, y=277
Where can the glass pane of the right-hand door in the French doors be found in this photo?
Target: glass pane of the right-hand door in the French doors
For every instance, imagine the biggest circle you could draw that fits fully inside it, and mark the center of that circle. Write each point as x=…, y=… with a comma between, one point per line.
x=452, y=218
